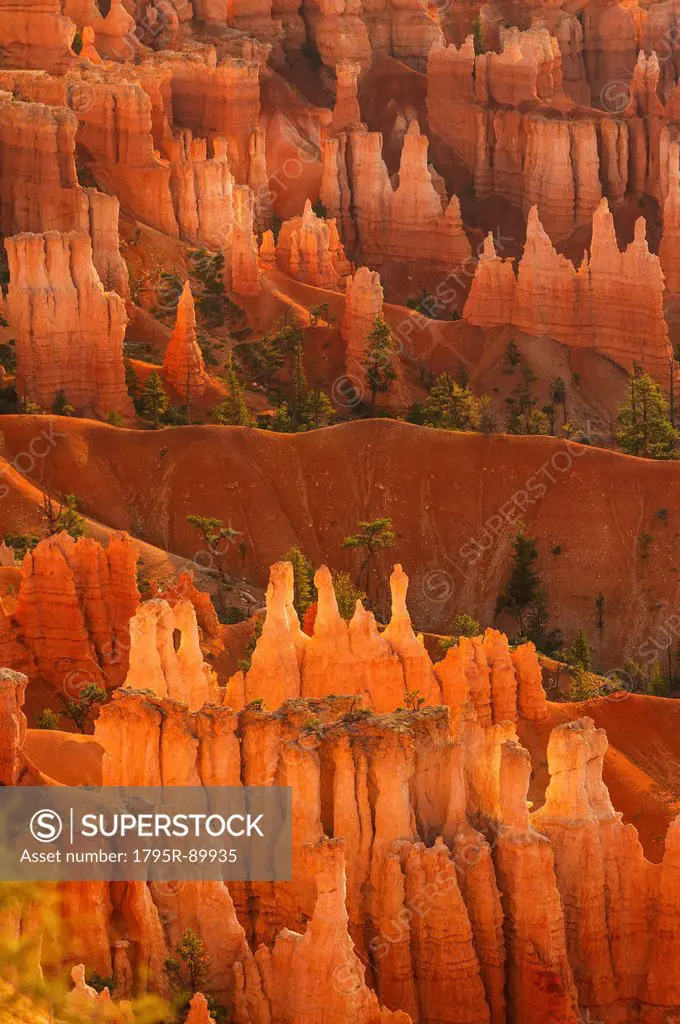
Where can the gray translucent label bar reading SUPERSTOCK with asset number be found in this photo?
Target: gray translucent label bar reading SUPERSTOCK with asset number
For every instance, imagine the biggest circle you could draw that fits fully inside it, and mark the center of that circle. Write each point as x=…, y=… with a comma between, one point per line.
x=155, y=834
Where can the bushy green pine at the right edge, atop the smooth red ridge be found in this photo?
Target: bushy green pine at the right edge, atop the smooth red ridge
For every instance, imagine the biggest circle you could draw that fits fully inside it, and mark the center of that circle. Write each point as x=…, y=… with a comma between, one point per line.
x=645, y=426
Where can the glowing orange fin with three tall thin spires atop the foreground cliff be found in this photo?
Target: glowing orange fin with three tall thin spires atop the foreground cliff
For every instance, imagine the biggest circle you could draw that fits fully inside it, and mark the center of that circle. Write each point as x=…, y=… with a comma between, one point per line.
x=382, y=667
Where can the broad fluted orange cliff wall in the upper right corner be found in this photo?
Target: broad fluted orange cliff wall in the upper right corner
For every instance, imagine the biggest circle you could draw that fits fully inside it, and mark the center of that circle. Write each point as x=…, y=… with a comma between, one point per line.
x=509, y=120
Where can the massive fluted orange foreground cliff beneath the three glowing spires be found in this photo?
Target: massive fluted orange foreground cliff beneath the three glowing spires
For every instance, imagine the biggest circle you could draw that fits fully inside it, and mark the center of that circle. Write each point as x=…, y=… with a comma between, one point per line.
x=440, y=897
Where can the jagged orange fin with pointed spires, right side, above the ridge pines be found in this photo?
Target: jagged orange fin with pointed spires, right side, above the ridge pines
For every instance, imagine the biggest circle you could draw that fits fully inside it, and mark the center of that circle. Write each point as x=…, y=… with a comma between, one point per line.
x=614, y=304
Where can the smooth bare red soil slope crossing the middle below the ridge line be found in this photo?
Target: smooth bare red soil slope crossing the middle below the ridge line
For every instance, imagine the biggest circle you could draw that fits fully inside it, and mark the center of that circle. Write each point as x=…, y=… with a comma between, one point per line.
x=606, y=523
